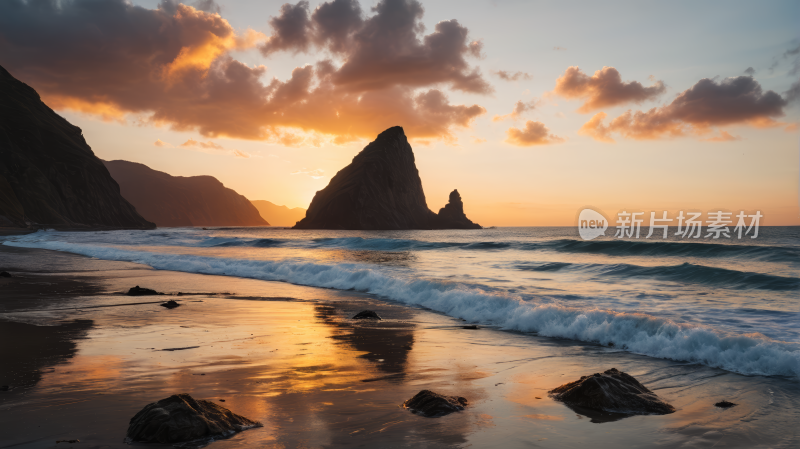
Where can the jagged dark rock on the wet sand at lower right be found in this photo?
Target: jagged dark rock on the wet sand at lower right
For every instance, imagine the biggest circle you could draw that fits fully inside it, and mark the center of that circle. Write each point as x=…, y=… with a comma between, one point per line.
x=611, y=391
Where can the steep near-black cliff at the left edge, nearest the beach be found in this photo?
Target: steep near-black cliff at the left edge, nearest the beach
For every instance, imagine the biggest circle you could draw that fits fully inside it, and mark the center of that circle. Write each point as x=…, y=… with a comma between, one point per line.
x=48, y=174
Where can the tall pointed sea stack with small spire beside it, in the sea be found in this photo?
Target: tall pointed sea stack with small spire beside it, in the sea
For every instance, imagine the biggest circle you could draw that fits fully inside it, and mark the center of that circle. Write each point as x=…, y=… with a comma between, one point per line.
x=381, y=190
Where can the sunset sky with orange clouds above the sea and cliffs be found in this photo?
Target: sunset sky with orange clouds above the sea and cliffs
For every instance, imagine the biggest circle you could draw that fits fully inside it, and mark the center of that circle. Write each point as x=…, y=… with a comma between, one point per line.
x=532, y=110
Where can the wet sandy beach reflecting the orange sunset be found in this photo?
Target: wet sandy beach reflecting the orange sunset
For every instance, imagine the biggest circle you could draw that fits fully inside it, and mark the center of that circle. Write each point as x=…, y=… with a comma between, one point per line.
x=82, y=359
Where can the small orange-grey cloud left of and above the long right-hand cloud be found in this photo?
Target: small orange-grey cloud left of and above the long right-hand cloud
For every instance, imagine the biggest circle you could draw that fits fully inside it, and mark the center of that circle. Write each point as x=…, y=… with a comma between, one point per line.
x=604, y=88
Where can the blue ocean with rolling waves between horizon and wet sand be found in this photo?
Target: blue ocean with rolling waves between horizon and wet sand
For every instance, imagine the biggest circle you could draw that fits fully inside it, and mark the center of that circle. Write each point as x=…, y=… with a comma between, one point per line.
x=729, y=303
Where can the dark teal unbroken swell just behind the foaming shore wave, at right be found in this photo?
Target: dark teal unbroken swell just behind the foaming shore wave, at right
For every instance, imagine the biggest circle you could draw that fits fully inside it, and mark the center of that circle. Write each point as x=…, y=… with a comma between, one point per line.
x=684, y=273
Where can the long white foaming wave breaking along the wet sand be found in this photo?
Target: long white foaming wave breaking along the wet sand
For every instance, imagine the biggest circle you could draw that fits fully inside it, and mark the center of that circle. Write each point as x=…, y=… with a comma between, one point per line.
x=751, y=354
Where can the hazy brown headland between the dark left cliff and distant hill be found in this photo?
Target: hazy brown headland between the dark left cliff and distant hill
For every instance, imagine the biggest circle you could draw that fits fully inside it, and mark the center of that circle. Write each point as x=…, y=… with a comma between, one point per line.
x=182, y=201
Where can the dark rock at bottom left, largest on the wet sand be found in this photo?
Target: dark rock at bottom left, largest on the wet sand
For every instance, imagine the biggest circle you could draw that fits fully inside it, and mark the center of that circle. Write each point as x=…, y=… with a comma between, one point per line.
x=181, y=418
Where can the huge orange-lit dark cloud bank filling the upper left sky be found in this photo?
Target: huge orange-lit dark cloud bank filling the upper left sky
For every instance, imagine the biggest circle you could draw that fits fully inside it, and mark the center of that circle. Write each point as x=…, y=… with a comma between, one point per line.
x=173, y=65
